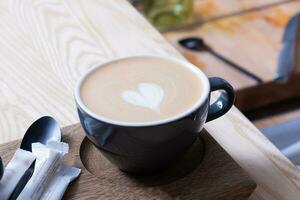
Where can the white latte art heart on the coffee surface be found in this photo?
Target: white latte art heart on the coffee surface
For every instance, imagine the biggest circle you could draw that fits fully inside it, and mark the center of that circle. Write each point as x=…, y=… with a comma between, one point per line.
x=148, y=95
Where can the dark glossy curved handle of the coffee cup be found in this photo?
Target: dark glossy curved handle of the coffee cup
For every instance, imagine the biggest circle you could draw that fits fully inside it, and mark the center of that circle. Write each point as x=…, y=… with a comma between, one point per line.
x=224, y=102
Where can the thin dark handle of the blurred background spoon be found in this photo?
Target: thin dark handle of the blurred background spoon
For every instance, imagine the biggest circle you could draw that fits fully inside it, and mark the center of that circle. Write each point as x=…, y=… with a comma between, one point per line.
x=234, y=65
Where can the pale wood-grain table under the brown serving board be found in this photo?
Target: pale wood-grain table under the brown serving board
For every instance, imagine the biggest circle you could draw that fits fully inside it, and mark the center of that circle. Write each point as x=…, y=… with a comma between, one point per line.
x=47, y=44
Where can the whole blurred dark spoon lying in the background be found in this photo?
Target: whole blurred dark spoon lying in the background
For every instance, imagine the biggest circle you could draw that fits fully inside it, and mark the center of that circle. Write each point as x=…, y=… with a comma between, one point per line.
x=198, y=44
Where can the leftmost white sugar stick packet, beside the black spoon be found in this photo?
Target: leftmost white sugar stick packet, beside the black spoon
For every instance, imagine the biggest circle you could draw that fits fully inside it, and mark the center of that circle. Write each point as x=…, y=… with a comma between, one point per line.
x=13, y=172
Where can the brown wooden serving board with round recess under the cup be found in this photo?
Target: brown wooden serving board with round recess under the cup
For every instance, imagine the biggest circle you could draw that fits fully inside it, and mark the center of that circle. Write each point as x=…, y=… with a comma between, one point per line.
x=100, y=179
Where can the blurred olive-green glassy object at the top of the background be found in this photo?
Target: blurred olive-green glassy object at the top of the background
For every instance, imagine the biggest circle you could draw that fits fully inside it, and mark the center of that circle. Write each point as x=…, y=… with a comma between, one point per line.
x=166, y=14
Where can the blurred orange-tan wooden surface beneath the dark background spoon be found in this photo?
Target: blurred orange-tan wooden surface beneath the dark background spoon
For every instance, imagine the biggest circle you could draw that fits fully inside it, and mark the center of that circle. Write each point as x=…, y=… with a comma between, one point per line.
x=252, y=40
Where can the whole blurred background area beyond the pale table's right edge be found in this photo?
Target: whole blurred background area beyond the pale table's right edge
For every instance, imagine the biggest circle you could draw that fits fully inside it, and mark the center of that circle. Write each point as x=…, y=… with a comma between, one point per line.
x=253, y=44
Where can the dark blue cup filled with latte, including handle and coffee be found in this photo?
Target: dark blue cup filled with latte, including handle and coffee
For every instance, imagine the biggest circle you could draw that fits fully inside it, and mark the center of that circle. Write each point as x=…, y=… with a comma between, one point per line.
x=144, y=112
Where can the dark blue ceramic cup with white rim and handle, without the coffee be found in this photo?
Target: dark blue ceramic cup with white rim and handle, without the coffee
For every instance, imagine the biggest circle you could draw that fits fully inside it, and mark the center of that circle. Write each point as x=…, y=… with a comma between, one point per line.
x=148, y=147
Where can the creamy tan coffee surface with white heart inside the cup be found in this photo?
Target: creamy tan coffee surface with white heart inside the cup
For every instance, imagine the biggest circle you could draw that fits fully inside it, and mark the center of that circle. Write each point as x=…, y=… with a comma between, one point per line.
x=141, y=89
